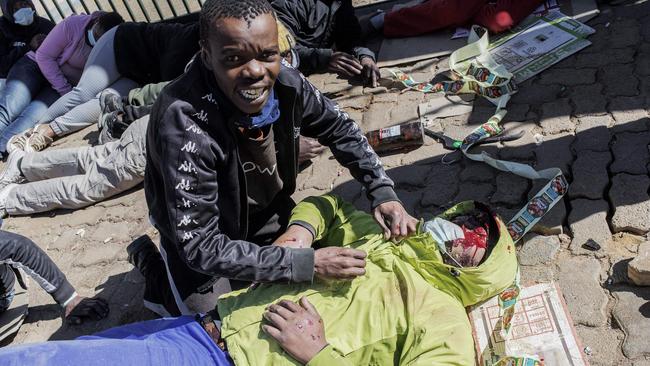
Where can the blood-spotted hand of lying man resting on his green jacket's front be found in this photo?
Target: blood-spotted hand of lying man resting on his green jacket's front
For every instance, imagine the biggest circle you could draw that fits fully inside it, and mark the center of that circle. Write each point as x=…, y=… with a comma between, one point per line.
x=297, y=327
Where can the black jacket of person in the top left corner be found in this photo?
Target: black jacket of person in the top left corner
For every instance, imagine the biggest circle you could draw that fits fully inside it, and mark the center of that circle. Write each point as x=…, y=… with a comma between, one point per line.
x=15, y=38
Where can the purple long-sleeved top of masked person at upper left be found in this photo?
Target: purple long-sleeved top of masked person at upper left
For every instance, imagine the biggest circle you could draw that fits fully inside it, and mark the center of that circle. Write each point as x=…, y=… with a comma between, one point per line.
x=64, y=52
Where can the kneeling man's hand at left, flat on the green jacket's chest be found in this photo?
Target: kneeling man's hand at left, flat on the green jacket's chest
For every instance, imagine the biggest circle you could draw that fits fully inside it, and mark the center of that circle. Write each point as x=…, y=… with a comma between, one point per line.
x=339, y=263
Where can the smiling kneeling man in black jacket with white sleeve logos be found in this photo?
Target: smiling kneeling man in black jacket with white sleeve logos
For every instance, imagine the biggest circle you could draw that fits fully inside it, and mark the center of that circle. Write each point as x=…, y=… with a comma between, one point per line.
x=222, y=148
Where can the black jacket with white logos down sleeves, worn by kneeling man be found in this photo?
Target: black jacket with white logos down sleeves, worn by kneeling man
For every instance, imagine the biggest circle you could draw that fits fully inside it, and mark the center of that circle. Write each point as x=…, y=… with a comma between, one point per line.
x=195, y=185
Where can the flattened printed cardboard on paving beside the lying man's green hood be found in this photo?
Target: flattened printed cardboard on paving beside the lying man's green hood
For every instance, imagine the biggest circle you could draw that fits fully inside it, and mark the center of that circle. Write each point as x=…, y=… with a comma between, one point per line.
x=541, y=327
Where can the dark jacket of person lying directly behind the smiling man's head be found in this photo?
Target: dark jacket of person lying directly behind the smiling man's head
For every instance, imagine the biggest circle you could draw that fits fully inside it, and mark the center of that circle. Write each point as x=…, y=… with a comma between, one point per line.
x=319, y=25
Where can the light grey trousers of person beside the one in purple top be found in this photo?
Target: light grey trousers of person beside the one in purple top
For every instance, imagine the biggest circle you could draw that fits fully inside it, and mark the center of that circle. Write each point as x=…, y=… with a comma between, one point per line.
x=80, y=108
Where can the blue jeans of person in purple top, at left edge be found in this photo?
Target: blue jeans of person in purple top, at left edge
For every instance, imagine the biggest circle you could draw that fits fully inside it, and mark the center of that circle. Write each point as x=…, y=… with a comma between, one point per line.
x=24, y=83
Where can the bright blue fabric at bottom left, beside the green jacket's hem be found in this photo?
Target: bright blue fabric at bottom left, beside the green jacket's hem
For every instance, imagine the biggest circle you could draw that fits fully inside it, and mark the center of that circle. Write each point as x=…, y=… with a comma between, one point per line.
x=171, y=341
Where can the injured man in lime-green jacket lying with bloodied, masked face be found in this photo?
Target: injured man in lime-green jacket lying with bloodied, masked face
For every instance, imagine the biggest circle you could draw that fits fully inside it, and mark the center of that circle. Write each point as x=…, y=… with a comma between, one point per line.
x=406, y=308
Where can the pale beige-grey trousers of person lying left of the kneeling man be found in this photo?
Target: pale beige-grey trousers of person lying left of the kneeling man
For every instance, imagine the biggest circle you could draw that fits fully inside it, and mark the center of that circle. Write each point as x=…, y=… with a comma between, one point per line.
x=79, y=177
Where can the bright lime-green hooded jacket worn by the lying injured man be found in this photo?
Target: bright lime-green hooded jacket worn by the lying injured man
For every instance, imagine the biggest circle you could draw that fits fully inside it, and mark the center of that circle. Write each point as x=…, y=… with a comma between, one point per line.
x=408, y=309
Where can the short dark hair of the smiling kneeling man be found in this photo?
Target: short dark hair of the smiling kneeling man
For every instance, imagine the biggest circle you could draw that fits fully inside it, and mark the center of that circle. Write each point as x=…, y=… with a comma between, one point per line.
x=247, y=10
